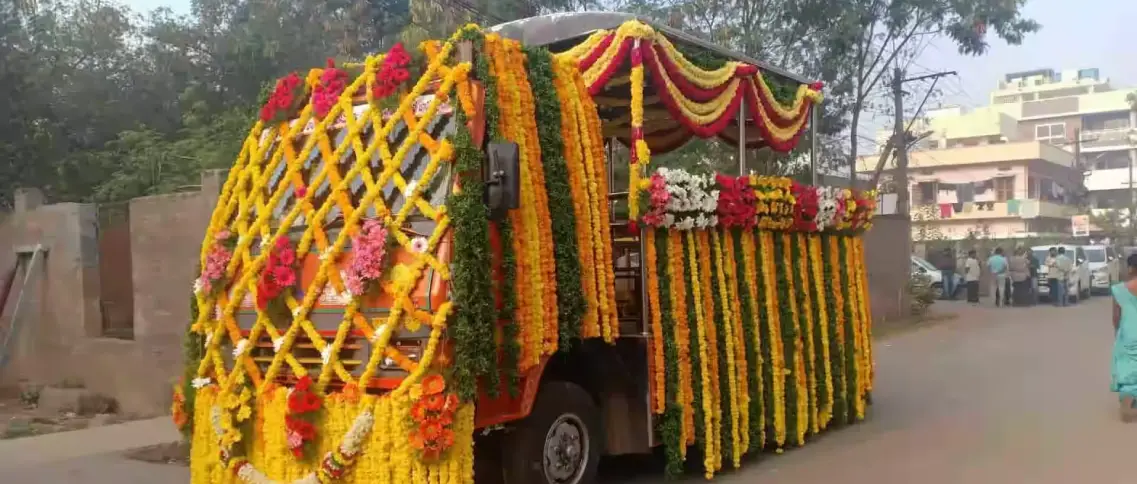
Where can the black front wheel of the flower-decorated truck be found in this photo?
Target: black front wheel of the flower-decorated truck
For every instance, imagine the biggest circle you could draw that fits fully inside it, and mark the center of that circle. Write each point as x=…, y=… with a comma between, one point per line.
x=560, y=441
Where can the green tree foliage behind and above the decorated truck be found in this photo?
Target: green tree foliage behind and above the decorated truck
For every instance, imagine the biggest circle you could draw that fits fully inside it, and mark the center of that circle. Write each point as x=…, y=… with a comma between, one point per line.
x=104, y=104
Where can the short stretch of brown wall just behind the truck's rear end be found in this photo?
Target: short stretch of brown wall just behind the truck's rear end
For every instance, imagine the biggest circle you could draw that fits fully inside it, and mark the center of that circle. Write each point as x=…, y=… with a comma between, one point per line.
x=889, y=263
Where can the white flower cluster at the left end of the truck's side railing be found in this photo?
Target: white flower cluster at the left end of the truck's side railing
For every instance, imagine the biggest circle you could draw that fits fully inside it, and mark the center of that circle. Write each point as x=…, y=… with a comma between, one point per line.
x=692, y=203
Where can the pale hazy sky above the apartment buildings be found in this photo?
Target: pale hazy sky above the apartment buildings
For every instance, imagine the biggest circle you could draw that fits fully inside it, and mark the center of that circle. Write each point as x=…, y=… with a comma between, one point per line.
x=1075, y=36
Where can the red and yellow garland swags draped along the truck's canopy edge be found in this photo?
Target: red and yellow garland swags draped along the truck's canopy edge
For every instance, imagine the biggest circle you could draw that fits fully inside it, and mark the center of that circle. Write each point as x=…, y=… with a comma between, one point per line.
x=703, y=102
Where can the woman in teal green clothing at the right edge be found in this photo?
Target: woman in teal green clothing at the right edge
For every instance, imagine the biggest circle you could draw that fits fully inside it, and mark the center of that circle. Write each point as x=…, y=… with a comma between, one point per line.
x=1125, y=341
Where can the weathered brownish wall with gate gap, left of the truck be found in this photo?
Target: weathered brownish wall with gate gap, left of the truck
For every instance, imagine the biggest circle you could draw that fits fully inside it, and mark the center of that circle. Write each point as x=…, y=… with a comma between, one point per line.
x=61, y=322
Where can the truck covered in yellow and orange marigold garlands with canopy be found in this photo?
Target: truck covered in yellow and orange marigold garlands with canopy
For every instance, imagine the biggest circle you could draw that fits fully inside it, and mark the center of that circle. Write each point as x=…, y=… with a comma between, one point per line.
x=417, y=266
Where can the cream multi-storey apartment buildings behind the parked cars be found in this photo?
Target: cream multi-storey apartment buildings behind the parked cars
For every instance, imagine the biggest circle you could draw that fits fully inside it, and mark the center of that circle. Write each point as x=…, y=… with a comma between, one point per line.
x=1048, y=144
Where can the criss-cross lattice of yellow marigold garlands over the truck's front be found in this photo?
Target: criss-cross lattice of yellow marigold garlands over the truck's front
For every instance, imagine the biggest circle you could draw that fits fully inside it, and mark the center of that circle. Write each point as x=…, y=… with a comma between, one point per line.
x=317, y=182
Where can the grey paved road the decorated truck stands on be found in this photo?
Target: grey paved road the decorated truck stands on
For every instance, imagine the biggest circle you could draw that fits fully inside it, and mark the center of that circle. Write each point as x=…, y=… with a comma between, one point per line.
x=999, y=396
